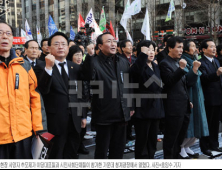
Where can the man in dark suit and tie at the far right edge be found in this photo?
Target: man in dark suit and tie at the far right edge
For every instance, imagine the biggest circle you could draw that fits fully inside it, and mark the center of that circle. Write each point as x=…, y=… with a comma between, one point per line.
x=212, y=88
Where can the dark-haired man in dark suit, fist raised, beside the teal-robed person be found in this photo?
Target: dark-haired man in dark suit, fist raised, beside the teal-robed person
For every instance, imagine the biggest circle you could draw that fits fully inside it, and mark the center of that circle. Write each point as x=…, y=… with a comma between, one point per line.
x=176, y=78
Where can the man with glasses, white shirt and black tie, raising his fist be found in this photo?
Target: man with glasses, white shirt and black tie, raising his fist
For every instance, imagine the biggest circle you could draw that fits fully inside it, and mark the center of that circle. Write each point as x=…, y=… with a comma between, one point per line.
x=63, y=121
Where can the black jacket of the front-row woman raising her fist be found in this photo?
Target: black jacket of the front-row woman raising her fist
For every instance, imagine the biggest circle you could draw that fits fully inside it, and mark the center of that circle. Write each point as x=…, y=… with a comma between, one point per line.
x=151, y=108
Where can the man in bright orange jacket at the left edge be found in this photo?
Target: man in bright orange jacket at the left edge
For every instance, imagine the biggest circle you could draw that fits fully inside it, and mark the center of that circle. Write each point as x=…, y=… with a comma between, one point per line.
x=21, y=109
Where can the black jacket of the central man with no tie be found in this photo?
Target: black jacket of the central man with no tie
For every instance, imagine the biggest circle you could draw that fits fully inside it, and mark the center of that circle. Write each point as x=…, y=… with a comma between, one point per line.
x=108, y=109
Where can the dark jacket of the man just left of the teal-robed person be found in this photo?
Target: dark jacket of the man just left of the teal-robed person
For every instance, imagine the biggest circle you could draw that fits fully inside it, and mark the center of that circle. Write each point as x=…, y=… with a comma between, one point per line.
x=176, y=82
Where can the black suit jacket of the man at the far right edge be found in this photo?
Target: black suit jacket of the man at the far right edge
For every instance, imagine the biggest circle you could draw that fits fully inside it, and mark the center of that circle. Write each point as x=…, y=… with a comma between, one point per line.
x=211, y=83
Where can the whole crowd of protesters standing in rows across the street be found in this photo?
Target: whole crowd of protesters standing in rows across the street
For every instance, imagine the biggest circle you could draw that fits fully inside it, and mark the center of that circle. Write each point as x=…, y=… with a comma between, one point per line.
x=174, y=88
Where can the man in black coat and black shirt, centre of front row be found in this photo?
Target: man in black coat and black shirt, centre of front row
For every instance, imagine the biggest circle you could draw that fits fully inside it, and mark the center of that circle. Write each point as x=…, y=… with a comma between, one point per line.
x=109, y=109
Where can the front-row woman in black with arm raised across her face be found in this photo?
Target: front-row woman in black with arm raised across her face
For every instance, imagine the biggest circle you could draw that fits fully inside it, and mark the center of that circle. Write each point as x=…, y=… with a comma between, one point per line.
x=151, y=110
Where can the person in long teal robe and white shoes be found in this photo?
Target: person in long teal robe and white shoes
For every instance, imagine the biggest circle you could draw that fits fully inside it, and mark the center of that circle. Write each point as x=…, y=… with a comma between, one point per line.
x=198, y=126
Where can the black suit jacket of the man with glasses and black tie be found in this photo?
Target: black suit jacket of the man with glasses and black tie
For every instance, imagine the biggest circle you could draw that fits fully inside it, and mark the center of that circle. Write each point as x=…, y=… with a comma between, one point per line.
x=57, y=98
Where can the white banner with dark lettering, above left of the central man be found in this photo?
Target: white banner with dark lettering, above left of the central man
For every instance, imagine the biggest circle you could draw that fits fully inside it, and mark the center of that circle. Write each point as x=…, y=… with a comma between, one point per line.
x=92, y=23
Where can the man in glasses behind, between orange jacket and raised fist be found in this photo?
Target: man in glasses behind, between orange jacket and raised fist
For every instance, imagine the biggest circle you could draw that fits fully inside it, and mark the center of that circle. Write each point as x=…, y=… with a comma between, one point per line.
x=32, y=48
